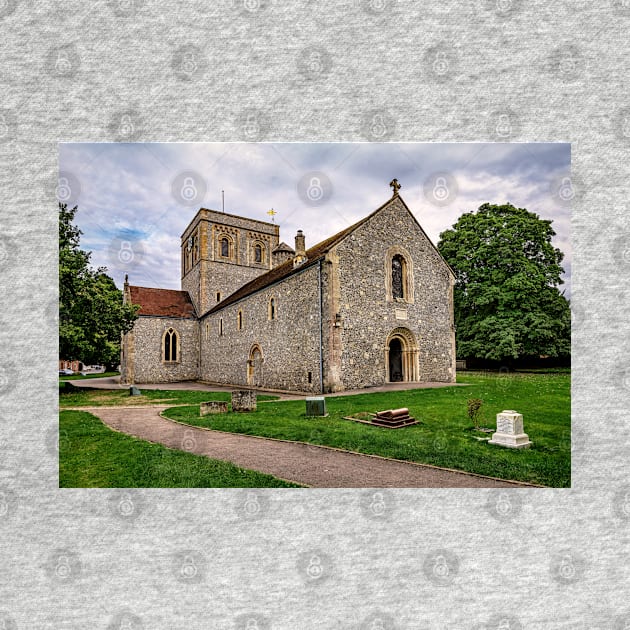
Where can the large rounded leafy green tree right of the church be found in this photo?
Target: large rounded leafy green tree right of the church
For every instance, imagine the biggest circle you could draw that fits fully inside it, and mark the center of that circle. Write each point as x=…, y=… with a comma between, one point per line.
x=507, y=302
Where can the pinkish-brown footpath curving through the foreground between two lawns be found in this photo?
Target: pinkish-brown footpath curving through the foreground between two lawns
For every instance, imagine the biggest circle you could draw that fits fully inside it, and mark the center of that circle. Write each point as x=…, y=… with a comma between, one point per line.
x=315, y=466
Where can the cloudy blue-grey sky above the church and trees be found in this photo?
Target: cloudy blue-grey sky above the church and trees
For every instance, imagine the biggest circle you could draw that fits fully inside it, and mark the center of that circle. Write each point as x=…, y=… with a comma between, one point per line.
x=135, y=200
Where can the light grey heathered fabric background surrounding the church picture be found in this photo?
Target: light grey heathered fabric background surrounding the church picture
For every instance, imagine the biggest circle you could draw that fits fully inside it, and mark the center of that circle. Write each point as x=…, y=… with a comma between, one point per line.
x=314, y=71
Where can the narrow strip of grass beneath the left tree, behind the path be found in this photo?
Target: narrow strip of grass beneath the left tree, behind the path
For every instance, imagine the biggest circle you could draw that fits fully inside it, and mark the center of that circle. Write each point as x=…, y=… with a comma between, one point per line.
x=87, y=397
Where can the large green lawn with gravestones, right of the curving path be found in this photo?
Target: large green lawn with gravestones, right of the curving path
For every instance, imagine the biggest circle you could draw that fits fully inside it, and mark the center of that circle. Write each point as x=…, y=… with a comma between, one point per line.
x=445, y=437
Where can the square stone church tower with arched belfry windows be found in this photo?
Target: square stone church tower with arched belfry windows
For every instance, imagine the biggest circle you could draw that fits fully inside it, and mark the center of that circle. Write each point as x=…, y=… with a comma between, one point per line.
x=221, y=252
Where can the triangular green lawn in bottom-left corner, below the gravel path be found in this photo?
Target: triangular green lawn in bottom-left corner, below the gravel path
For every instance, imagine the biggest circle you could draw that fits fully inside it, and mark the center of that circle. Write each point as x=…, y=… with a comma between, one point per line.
x=93, y=456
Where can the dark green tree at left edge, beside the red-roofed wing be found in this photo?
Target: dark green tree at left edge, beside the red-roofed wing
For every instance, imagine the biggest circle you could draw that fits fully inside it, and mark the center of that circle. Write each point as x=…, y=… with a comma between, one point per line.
x=92, y=315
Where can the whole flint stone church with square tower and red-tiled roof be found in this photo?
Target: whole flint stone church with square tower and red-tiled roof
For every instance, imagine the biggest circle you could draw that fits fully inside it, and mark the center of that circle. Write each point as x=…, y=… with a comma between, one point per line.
x=370, y=305
